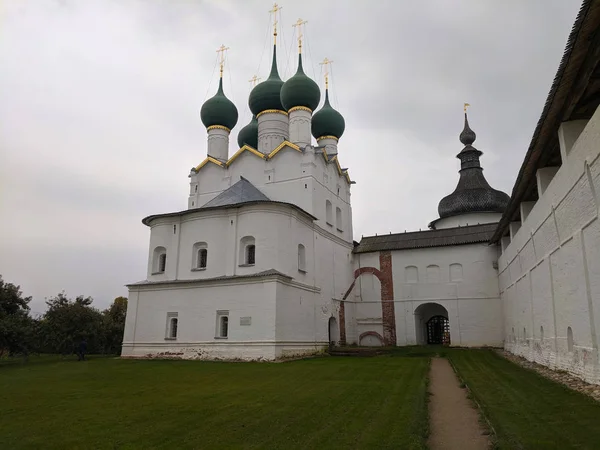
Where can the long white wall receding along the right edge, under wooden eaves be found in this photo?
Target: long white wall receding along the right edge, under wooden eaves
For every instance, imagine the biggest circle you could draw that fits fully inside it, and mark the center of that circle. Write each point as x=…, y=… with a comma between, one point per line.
x=550, y=271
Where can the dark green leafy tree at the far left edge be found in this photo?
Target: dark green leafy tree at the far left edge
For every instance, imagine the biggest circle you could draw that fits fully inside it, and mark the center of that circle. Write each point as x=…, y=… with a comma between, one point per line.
x=16, y=327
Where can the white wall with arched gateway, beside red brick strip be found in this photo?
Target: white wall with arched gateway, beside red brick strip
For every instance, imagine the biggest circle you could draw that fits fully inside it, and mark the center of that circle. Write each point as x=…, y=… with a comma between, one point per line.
x=430, y=276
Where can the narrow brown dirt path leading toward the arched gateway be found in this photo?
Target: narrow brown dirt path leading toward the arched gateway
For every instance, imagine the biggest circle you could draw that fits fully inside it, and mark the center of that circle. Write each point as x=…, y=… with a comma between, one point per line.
x=454, y=422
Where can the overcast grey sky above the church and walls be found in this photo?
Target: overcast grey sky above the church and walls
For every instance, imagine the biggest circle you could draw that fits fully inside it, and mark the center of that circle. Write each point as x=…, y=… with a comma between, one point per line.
x=99, y=121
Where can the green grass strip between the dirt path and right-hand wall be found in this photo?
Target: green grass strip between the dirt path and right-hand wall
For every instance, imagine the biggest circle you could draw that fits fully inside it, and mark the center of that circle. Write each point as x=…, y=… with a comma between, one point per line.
x=527, y=410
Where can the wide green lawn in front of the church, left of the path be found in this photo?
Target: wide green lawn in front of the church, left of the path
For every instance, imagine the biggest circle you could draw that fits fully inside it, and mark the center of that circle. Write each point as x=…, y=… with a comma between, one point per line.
x=112, y=403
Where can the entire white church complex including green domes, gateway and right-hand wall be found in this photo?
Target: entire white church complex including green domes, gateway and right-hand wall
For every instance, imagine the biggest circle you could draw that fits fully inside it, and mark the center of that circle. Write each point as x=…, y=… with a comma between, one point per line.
x=262, y=264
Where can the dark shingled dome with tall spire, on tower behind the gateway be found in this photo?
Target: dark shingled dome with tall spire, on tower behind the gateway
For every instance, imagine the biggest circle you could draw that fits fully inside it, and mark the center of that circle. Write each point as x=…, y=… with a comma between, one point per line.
x=473, y=193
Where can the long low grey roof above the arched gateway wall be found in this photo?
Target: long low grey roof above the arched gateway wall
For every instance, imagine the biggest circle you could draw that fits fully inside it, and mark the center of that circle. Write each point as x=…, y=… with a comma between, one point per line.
x=471, y=234
